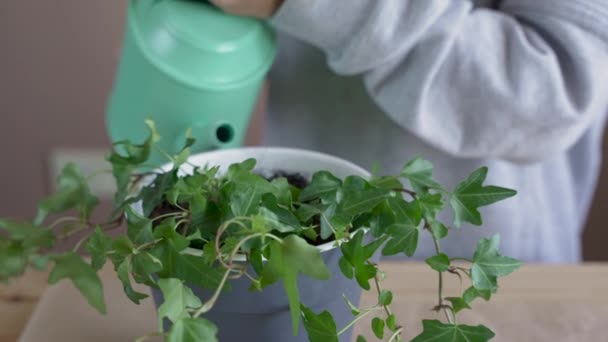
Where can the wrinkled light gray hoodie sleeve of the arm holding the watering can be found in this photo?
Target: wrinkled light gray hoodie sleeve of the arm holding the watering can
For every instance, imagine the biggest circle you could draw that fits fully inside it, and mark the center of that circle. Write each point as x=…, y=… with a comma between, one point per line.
x=518, y=82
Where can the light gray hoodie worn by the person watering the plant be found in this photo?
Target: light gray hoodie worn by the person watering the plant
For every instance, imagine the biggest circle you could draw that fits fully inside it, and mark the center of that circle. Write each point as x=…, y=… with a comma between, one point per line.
x=520, y=86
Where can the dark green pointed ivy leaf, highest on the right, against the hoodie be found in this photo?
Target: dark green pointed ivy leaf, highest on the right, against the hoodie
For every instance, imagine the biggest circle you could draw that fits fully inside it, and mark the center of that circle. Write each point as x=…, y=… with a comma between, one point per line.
x=470, y=195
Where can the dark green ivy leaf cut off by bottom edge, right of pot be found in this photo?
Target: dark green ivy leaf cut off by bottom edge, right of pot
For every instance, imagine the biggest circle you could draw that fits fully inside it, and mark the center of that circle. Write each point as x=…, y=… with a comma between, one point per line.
x=436, y=331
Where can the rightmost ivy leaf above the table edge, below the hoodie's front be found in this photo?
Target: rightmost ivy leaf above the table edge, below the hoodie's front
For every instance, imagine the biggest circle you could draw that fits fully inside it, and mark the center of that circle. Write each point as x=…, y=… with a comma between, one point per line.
x=488, y=264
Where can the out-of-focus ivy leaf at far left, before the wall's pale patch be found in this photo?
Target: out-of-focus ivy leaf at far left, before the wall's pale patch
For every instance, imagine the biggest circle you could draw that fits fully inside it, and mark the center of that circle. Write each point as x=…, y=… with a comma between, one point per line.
x=72, y=193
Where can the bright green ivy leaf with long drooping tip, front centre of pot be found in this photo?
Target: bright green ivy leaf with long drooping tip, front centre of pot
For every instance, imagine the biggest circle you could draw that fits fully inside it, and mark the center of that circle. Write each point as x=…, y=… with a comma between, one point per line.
x=287, y=259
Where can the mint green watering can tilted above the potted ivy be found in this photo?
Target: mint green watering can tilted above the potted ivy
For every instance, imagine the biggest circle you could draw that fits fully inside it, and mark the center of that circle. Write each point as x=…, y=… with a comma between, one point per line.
x=187, y=65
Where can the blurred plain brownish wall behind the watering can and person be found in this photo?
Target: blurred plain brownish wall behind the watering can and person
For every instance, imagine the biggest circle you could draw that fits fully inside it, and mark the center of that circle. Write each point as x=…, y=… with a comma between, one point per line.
x=57, y=63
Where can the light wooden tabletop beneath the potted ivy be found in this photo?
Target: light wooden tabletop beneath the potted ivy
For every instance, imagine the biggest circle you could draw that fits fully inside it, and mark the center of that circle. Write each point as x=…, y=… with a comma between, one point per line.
x=537, y=303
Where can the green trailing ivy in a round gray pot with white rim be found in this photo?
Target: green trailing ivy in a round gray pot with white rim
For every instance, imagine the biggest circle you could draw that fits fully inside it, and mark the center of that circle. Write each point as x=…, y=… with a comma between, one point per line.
x=267, y=244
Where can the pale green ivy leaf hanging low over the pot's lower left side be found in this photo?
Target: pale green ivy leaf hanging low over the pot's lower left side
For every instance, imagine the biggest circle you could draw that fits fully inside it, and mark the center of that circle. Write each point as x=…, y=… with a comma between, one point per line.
x=177, y=299
